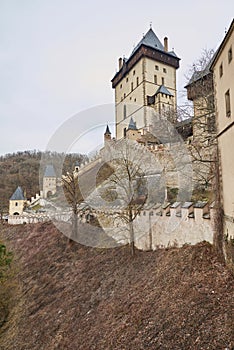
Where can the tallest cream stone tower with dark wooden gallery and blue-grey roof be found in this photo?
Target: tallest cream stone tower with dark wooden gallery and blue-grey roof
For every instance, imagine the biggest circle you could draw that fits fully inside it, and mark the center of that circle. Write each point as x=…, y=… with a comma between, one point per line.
x=146, y=78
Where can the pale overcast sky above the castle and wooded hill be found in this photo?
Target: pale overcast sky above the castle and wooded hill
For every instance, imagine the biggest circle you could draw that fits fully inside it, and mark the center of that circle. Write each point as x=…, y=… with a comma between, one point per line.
x=57, y=57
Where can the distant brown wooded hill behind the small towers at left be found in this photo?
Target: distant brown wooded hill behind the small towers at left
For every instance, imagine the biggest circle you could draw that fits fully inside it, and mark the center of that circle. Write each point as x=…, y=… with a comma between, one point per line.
x=22, y=169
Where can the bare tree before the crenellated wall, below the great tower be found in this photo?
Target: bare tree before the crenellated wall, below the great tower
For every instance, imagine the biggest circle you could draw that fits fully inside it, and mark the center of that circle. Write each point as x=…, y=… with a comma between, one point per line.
x=134, y=166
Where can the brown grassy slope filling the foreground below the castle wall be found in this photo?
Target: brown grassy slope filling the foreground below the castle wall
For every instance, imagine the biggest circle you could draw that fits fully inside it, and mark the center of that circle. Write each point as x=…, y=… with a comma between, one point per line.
x=75, y=297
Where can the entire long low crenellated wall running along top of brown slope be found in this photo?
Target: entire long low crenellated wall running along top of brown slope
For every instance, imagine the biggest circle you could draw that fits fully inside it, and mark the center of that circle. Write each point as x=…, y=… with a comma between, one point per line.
x=156, y=227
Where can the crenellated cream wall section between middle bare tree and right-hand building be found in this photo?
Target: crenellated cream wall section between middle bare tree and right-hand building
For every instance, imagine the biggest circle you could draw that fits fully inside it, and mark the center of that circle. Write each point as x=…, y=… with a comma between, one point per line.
x=174, y=225
